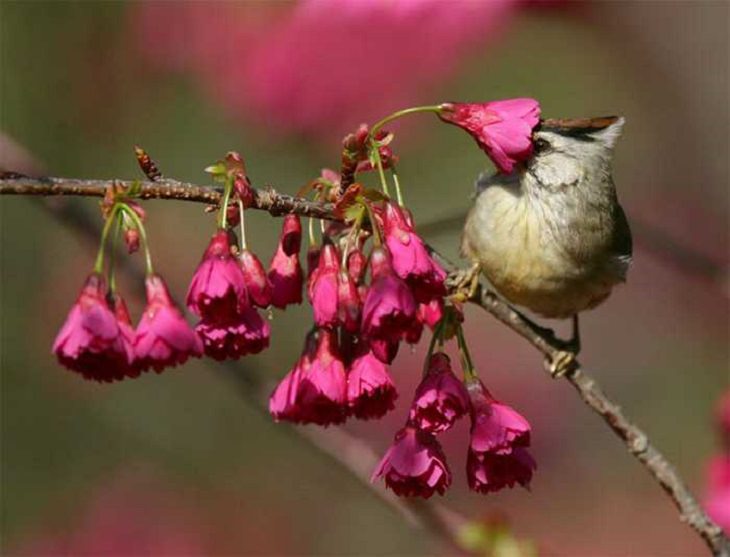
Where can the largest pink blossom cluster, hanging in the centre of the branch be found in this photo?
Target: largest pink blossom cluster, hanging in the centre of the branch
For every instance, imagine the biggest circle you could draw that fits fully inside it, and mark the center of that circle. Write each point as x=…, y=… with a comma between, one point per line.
x=359, y=325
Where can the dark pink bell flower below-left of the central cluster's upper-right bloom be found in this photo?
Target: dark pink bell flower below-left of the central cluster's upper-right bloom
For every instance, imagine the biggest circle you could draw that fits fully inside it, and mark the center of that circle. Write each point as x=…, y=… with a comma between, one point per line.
x=389, y=307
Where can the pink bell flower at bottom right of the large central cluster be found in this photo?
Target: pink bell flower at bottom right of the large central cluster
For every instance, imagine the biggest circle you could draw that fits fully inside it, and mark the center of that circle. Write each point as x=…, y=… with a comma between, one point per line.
x=370, y=390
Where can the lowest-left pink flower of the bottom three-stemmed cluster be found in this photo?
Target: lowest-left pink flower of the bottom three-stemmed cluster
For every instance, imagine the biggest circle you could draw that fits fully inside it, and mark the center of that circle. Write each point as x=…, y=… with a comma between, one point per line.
x=414, y=465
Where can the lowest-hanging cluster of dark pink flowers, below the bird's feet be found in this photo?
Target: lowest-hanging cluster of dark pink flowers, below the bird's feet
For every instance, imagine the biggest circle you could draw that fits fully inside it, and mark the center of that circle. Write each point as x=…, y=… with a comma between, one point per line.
x=416, y=465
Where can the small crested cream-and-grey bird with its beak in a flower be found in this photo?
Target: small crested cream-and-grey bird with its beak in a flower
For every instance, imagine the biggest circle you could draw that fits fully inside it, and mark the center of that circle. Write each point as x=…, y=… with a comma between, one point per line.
x=551, y=235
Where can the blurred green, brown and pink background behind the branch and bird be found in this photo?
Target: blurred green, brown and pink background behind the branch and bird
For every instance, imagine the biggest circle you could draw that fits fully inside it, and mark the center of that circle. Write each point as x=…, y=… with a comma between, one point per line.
x=180, y=463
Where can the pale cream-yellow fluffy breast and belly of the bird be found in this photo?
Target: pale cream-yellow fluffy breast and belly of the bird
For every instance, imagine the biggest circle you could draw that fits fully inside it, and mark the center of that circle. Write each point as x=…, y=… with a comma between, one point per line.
x=547, y=258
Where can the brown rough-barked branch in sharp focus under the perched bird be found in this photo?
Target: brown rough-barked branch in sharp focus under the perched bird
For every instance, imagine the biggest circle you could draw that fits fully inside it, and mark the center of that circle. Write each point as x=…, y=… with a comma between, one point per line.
x=636, y=440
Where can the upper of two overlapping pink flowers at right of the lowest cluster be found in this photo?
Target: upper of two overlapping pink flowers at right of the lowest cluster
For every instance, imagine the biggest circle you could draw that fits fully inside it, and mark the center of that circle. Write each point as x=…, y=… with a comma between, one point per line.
x=496, y=428
